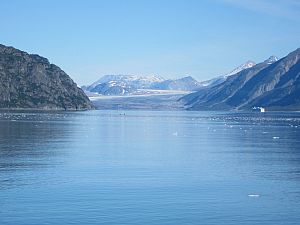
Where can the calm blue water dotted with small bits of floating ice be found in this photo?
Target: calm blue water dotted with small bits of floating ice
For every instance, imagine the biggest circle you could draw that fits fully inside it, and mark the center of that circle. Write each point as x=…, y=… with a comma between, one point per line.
x=104, y=167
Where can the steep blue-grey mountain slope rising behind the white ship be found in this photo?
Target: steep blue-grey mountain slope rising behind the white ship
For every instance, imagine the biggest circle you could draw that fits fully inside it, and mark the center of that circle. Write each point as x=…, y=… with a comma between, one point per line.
x=273, y=84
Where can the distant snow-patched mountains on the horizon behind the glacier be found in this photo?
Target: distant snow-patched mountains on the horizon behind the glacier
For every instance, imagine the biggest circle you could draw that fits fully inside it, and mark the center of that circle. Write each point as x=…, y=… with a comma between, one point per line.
x=131, y=84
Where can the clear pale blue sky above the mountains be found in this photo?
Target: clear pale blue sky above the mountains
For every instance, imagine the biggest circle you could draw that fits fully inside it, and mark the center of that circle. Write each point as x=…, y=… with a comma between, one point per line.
x=169, y=38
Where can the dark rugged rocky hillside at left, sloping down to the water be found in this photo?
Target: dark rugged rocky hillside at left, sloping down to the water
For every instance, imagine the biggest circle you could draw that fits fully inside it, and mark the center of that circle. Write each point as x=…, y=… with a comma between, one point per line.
x=30, y=81
